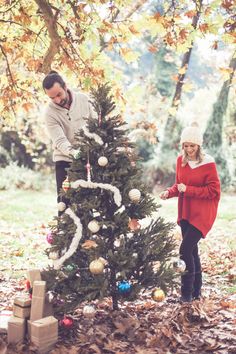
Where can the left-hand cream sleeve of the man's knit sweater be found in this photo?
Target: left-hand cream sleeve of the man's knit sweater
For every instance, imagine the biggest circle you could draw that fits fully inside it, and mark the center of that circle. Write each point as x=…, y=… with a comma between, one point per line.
x=58, y=137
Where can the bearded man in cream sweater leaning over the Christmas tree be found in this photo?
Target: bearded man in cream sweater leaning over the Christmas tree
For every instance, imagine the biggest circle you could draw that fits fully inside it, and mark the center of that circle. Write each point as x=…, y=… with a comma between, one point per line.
x=64, y=116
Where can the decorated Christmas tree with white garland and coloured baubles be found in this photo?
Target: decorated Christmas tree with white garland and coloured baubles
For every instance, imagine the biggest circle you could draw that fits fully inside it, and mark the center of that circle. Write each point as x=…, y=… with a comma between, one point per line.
x=98, y=246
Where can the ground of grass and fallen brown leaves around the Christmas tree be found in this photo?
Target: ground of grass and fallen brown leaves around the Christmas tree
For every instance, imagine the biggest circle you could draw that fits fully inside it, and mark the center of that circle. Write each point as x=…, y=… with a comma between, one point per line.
x=206, y=326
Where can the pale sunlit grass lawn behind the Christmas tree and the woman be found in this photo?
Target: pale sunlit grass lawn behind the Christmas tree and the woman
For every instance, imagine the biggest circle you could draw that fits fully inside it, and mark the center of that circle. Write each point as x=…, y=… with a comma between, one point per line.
x=23, y=215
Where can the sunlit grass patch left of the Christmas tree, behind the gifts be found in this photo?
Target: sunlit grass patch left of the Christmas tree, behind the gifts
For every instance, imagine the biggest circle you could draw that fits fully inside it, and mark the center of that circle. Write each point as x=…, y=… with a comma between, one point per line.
x=22, y=229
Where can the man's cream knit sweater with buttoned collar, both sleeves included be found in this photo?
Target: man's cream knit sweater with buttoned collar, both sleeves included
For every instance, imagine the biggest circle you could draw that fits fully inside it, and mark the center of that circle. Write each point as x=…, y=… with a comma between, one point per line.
x=62, y=124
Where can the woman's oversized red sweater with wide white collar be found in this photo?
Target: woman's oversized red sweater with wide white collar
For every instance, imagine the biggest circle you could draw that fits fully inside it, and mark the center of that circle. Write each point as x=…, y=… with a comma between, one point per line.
x=199, y=203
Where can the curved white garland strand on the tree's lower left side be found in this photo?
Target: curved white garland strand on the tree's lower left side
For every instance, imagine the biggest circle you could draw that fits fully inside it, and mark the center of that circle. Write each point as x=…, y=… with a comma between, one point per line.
x=75, y=242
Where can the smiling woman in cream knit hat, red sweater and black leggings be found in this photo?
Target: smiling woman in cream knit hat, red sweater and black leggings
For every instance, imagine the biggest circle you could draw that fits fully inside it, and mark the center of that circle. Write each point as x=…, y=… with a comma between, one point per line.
x=197, y=187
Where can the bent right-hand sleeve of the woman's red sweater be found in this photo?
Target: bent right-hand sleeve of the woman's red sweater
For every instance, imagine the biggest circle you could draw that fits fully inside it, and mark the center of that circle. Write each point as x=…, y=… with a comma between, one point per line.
x=210, y=190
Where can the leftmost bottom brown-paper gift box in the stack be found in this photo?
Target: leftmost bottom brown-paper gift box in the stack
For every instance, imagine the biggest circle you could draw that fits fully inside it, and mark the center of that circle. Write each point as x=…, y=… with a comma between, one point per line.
x=16, y=330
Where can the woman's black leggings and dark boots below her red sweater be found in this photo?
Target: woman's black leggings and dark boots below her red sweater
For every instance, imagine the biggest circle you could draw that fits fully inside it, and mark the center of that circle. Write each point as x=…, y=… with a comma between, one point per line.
x=192, y=279
